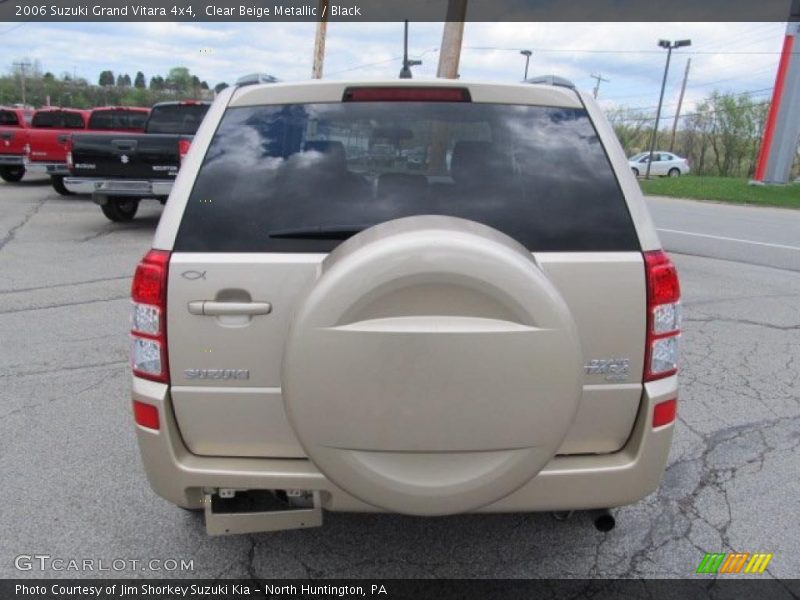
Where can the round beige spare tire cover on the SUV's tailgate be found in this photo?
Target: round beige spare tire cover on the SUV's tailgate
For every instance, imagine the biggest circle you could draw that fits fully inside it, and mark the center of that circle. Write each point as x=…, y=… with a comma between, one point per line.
x=433, y=368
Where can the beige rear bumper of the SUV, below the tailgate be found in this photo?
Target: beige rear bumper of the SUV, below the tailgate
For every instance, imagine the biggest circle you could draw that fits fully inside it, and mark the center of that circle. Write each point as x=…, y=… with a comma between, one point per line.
x=566, y=483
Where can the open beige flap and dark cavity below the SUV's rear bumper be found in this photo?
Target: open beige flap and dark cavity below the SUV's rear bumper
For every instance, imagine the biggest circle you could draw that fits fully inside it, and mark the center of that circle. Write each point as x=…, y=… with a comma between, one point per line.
x=258, y=516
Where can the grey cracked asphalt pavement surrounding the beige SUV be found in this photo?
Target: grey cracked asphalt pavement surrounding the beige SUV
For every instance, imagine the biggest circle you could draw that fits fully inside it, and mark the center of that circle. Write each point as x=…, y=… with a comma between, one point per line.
x=74, y=487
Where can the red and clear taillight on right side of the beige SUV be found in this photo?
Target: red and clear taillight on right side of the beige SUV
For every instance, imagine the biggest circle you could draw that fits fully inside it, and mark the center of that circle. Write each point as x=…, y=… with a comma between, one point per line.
x=663, y=316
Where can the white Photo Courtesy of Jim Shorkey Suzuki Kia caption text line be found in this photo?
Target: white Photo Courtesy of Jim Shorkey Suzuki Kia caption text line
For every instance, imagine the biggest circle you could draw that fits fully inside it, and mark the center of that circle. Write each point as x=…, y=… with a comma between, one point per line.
x=176, y=590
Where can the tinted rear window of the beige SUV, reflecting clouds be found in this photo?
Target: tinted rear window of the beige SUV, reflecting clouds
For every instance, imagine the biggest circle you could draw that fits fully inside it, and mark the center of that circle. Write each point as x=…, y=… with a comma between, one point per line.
x=301, y=178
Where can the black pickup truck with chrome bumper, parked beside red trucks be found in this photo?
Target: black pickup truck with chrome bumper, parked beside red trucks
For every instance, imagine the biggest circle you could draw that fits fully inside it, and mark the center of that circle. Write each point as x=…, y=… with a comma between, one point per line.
x=119, y=170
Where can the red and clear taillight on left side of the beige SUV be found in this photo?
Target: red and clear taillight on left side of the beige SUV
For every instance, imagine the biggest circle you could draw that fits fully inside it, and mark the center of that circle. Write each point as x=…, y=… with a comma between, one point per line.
x=149, y=317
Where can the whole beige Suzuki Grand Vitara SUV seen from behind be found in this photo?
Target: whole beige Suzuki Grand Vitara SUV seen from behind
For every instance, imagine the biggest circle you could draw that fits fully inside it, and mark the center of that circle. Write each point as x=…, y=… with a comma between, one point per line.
x=422, y=297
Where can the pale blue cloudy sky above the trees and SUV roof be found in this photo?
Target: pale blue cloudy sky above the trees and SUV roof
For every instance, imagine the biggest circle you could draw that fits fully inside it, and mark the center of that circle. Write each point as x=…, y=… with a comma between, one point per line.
x=737, y=57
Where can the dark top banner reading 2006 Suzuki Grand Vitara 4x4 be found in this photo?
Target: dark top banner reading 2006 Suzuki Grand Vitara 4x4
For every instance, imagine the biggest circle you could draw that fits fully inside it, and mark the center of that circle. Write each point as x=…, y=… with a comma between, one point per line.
x=398, y=10
